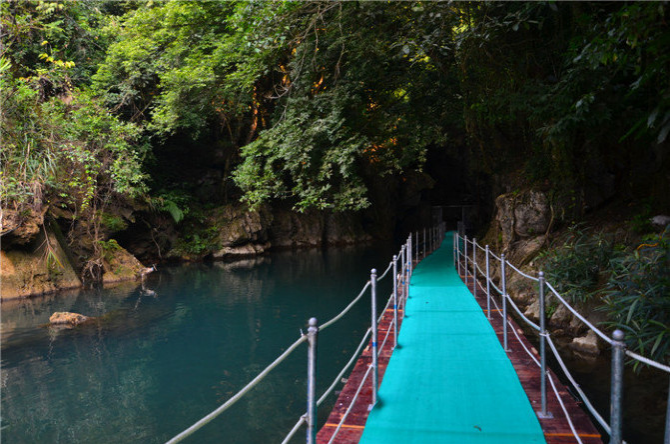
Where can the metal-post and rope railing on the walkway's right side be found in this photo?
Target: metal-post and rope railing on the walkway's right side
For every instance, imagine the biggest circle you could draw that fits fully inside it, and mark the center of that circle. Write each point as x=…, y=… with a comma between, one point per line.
x=466, y=263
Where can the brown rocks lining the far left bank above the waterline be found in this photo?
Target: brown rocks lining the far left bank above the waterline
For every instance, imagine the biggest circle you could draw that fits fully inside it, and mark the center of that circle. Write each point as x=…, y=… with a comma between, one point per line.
x=36, y=258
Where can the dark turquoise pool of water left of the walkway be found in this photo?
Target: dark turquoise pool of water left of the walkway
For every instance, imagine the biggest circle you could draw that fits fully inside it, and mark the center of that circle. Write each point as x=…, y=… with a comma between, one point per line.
x=152, y=364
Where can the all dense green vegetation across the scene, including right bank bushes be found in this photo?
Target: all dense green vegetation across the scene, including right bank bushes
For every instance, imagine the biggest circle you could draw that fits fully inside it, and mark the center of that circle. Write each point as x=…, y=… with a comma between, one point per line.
x=313, y=103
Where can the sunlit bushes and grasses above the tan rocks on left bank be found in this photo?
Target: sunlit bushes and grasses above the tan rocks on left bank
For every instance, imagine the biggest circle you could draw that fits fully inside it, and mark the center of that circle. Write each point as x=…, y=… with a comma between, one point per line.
x=65, y=154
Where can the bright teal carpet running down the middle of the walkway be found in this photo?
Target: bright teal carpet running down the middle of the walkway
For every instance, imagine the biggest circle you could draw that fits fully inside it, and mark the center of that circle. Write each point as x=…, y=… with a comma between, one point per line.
x=450, y=380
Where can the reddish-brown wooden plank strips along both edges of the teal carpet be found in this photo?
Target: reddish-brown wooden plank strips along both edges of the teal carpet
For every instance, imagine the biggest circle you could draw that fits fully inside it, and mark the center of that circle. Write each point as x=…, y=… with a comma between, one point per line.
x=556, y=429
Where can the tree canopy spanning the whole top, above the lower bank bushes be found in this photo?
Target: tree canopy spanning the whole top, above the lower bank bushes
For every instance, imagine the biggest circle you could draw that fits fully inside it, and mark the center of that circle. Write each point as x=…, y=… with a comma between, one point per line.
x=314, y=101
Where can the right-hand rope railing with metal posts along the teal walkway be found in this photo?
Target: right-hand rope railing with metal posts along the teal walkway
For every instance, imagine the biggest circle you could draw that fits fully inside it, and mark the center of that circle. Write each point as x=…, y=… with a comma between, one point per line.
x=618, y=346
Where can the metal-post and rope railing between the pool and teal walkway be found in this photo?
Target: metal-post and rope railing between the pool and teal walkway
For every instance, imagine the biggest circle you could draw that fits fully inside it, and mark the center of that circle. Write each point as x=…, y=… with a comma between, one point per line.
x=415, y=249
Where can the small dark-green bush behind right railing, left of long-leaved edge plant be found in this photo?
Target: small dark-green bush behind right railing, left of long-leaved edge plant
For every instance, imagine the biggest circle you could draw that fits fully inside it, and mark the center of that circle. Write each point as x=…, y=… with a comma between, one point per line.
x=579, y=267
